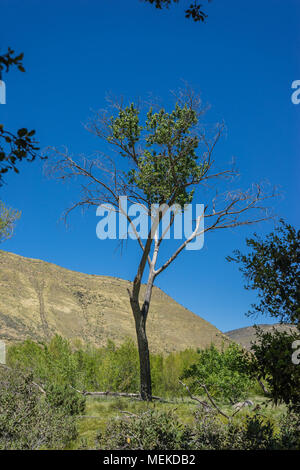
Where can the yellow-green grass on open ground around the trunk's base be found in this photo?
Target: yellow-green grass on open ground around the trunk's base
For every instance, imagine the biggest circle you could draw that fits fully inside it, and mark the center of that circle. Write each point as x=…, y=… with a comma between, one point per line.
x=100, y=410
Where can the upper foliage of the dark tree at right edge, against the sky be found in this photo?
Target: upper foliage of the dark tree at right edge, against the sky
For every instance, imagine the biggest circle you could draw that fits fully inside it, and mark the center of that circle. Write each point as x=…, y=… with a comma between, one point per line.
x=273, y=269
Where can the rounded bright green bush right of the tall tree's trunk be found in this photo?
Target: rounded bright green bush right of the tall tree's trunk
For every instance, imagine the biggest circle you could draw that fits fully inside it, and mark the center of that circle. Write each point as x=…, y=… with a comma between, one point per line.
x=224, y=373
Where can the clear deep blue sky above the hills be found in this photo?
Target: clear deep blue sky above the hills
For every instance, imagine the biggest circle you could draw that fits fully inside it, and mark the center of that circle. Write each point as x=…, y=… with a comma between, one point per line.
x=242, y=60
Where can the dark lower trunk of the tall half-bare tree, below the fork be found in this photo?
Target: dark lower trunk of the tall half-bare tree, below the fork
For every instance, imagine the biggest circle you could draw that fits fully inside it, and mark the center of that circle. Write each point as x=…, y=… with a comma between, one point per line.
x=144, y=356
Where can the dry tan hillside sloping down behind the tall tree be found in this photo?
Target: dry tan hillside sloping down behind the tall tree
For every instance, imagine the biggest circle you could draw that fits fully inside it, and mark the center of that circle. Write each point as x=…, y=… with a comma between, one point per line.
x=39, y=299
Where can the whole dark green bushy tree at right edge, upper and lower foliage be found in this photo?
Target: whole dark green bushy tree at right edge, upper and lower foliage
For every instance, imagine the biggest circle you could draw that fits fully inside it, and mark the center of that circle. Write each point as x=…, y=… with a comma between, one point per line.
x=272, y=268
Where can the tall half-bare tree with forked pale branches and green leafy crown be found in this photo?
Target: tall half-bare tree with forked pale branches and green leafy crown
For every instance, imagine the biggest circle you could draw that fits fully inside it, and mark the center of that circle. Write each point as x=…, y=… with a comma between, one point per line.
x=169, y=158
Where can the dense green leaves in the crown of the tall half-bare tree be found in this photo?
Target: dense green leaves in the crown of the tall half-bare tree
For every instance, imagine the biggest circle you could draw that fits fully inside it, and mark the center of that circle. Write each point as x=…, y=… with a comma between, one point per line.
x=169, y=164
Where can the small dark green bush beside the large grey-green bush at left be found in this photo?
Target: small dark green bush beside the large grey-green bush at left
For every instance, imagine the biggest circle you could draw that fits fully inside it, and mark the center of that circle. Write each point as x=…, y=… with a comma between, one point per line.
x=64, y=397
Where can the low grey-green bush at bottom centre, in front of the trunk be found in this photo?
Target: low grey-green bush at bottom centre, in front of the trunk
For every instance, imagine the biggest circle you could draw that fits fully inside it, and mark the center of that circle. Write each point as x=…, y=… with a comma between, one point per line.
x=152, y=430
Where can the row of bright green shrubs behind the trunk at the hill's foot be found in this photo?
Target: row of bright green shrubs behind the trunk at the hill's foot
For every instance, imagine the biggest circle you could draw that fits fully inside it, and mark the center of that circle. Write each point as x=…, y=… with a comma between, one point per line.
x=109, y=368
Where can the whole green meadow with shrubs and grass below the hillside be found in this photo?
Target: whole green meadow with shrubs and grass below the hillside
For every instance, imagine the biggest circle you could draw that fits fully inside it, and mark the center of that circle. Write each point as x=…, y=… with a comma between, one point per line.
x=196, y=391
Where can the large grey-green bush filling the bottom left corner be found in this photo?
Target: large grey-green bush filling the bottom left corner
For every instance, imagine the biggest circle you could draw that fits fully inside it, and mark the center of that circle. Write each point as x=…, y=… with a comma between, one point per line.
x=27, y=421
